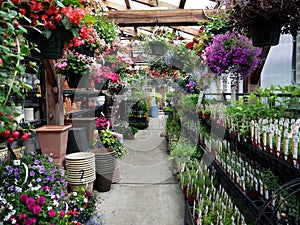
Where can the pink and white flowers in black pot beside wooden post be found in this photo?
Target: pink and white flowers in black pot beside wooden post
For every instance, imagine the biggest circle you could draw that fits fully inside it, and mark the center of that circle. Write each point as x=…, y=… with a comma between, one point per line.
x=76, y=68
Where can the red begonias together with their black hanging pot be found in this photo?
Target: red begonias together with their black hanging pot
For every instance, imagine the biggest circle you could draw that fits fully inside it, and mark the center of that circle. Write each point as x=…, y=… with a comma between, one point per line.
x=53, y=24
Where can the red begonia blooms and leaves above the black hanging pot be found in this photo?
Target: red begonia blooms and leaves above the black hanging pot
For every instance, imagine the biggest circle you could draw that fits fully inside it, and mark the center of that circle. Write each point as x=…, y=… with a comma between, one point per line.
x=55, y=17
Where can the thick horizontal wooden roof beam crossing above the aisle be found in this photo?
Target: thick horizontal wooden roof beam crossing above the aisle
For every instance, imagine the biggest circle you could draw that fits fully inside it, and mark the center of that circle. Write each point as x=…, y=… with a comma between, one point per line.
x=174, y=17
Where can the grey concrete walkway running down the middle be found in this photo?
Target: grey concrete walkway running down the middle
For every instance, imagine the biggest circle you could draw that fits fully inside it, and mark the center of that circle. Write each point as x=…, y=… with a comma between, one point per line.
x=147, y=193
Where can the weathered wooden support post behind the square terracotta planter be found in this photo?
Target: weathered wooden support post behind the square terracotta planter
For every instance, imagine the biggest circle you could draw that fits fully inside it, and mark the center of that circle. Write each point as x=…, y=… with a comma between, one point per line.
x=54, y=94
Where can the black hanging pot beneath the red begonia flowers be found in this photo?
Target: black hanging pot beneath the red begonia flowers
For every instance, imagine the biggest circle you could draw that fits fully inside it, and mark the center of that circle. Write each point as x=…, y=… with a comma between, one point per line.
x=52, y=48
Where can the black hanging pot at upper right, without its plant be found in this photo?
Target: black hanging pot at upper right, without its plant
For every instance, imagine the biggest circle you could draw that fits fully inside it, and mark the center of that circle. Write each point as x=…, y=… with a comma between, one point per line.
x=265, y=33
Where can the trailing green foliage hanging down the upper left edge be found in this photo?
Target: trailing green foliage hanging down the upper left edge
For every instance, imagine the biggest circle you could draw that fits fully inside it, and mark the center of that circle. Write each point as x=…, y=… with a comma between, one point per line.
x=13, y=50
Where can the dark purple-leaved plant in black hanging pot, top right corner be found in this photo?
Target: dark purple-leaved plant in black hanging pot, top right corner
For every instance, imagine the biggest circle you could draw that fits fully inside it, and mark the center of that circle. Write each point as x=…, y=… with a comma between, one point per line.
x=267, y=18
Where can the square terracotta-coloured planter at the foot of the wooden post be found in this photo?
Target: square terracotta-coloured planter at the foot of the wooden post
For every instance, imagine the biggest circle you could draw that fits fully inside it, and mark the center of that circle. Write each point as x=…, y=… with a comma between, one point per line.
x=53, y=140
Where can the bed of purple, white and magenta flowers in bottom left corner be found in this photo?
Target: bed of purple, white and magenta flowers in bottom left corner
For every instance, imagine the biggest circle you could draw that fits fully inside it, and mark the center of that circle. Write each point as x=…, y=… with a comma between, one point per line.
x=33, y=190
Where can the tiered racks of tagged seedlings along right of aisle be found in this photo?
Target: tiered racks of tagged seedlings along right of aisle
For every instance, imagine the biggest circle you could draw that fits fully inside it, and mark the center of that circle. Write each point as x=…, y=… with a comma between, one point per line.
x=237, y=141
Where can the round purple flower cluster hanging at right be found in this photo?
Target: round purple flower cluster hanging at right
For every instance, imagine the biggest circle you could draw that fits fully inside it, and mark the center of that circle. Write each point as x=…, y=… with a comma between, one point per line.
x=232, y=53
